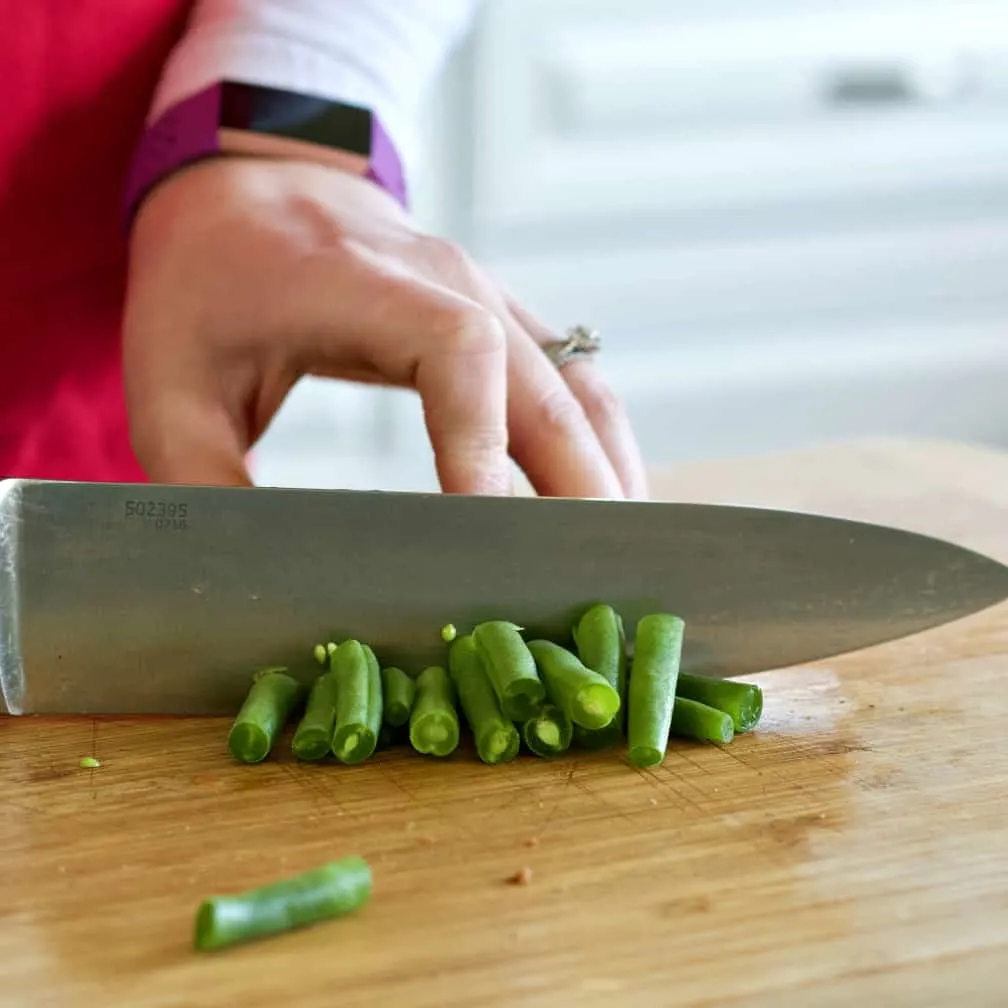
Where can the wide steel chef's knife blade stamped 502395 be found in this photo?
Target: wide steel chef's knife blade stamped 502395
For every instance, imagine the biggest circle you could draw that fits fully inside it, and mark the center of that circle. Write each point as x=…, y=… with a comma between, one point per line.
x=125, y=599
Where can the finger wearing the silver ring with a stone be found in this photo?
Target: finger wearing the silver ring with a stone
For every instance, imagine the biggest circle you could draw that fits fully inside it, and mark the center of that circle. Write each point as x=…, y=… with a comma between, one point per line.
x=603, y=409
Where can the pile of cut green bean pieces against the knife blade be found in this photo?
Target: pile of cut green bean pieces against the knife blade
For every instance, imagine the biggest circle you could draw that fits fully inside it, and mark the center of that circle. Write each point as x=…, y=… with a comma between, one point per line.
x=512, y=693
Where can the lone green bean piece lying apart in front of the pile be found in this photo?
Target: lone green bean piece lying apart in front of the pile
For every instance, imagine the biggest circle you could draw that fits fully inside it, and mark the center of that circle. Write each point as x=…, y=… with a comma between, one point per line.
x=322, y=894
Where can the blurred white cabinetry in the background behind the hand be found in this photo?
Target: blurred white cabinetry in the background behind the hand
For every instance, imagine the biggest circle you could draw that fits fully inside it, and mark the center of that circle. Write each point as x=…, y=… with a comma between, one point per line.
x=789, y=218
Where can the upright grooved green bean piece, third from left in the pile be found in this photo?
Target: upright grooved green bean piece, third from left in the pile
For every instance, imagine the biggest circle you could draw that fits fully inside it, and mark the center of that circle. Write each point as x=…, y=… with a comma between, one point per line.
x=358, y=702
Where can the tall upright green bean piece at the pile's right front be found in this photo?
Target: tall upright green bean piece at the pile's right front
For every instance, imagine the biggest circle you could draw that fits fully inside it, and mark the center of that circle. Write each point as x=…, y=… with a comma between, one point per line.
x=658, y=651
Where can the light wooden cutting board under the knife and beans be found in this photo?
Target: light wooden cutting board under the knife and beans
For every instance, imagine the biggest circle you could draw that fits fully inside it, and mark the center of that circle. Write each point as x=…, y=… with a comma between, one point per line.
x=855, y=848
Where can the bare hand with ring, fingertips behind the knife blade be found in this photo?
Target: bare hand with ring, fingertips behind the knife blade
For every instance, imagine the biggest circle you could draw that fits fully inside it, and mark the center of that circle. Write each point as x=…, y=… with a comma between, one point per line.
x=247, y=275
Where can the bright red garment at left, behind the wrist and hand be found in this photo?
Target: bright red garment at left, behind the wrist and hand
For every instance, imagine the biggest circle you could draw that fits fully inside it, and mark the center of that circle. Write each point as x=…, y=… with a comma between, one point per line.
x=78, y=80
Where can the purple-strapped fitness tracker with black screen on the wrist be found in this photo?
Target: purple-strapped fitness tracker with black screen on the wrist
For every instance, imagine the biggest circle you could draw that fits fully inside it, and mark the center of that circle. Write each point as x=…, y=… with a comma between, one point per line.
x=190, y=132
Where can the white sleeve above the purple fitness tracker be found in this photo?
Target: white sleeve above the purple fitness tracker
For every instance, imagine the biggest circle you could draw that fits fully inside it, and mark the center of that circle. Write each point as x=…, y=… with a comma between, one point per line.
x=381, y=54
